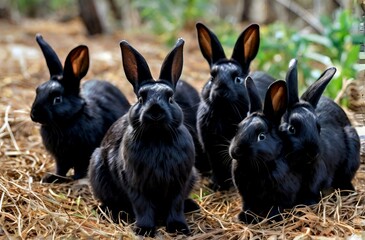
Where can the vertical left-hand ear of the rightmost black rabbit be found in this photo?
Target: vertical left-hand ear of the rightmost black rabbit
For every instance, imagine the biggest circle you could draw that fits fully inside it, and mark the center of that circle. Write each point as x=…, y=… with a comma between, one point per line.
x=292, y=82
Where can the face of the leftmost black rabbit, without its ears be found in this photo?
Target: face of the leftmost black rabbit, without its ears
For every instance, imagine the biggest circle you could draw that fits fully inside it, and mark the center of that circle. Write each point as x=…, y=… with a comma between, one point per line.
x=53, y=105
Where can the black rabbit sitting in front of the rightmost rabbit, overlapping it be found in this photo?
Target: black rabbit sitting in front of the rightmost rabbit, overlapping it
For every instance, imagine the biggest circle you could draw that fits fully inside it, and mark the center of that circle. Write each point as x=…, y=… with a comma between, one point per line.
x=259, y=168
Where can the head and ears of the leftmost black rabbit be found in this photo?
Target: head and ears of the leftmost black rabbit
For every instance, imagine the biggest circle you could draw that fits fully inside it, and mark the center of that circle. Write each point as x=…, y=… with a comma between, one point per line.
x=58, y=99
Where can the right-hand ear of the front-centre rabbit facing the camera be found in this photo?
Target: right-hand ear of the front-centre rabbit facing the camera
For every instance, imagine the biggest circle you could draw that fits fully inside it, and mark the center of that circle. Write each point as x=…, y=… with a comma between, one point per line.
x=172, y=65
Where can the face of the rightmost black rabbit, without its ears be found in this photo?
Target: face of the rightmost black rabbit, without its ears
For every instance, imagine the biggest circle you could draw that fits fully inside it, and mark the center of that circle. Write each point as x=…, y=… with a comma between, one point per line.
x=301, y=133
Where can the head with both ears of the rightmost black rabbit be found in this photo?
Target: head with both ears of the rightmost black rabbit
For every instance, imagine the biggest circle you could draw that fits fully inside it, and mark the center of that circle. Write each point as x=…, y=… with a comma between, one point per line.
x=301, y=129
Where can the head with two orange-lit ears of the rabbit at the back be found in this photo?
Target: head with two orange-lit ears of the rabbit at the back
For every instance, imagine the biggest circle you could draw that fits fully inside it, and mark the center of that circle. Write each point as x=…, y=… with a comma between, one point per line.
x=227, y=75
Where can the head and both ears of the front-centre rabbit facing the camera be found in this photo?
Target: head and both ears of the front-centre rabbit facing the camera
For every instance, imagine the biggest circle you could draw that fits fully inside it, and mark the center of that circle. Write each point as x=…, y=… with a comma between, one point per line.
x=156, y=107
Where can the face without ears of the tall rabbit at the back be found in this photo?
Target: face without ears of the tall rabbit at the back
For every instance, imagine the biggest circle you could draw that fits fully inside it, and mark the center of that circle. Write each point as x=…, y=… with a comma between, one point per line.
x=226, y=83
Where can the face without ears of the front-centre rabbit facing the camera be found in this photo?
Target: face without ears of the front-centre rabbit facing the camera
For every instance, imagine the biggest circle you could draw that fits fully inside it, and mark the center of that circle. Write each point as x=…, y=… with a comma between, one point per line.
x=156, y=107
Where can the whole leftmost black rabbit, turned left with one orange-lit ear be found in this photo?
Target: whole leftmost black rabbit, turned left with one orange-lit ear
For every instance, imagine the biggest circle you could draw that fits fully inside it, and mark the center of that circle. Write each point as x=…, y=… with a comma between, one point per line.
x=73, y=122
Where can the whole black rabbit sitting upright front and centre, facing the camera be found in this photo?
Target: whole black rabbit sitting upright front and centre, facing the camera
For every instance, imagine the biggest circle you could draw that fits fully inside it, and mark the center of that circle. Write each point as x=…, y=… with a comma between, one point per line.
x=145, y=165
